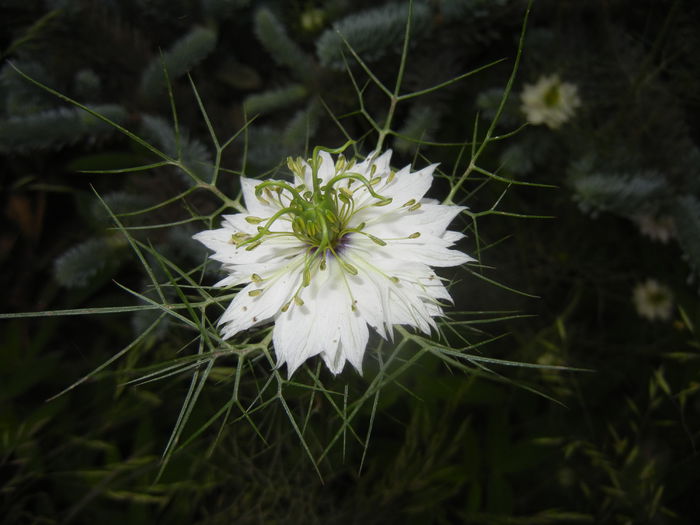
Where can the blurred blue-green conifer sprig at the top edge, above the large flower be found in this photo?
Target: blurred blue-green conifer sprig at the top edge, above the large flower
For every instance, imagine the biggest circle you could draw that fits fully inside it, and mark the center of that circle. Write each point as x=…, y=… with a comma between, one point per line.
x=371, y=33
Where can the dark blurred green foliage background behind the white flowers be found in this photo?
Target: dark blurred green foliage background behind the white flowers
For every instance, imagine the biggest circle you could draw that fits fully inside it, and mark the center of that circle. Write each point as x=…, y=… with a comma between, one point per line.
x=617, y=445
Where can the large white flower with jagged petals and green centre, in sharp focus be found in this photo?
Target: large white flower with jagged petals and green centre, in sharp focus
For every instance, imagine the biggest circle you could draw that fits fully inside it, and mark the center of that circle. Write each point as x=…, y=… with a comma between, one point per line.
x=342, y=246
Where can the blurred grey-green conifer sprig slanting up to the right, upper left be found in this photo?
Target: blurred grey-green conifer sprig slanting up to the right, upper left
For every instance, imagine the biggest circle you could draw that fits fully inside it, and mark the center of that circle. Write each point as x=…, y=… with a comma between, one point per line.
x=180, y=58
